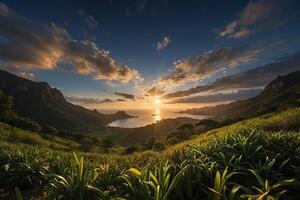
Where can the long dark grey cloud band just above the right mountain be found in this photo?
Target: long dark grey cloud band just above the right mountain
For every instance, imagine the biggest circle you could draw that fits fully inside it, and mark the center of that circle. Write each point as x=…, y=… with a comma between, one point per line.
x=258, y=77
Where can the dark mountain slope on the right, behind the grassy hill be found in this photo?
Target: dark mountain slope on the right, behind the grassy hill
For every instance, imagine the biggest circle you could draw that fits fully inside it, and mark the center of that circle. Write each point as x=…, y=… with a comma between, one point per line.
x=280, y=94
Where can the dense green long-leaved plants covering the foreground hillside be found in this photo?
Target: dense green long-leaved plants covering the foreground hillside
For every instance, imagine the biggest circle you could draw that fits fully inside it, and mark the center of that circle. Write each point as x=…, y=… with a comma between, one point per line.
x=253, y=159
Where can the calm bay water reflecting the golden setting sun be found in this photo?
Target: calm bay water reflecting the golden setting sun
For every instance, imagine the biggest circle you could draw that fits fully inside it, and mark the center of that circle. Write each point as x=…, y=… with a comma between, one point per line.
x=146, y=116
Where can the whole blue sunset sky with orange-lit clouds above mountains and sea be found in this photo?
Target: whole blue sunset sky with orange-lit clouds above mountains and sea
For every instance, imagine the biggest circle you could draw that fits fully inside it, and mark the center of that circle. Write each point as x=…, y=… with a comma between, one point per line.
x=114, y=51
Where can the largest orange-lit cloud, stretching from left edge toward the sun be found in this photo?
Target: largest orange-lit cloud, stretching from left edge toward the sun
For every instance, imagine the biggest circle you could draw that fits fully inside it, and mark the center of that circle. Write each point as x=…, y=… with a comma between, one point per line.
x=25, y=44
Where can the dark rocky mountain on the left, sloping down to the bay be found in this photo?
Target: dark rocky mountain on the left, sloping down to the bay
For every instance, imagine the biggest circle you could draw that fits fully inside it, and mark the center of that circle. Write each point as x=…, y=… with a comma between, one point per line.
x=46, y=105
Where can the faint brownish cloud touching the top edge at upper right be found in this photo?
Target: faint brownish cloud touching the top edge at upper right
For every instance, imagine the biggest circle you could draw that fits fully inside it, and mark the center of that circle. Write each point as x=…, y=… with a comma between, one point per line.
x=257, y=15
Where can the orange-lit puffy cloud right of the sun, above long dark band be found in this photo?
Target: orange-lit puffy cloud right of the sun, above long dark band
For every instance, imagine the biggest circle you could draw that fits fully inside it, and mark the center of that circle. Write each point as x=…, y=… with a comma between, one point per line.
x=210, y=63
